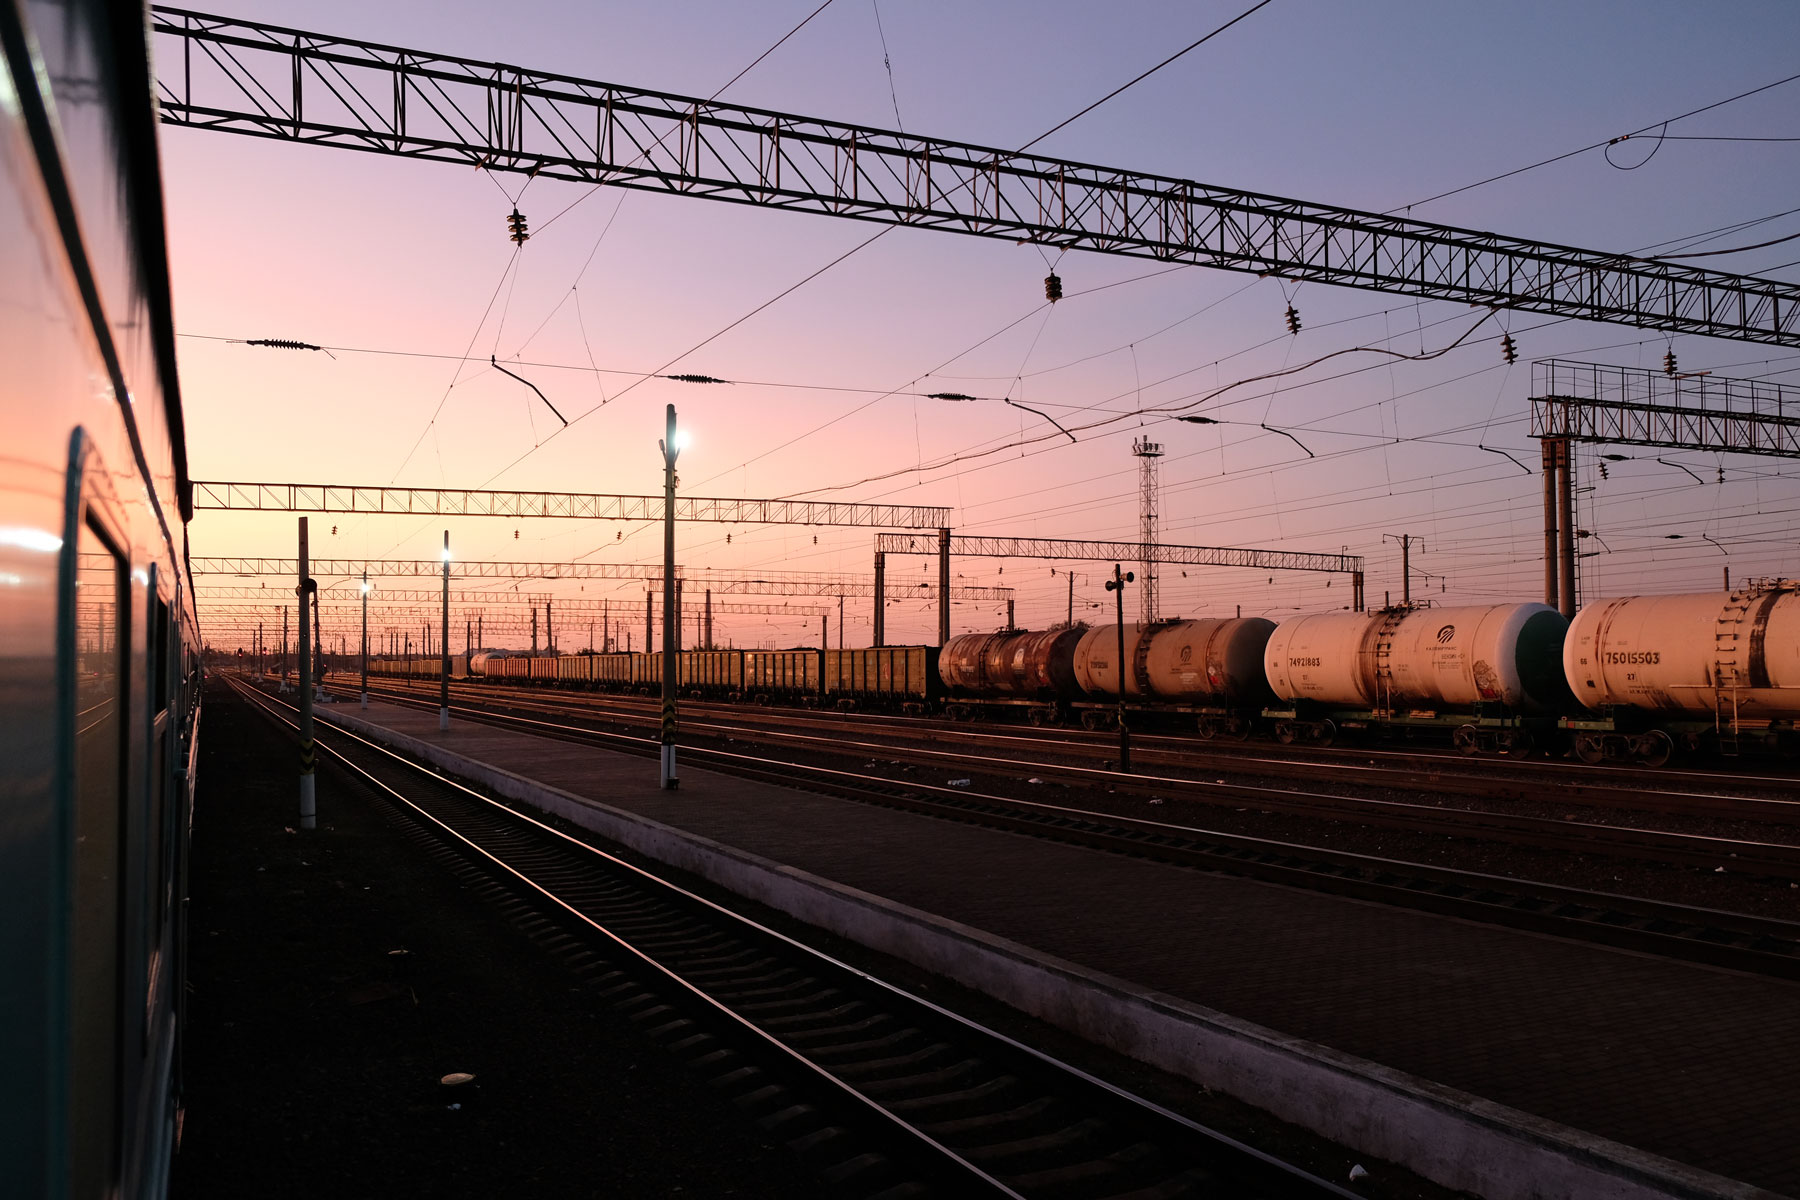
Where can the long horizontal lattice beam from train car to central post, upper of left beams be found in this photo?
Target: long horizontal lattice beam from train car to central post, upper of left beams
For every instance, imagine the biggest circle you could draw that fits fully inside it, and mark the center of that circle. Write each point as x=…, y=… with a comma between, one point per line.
x=231, y=497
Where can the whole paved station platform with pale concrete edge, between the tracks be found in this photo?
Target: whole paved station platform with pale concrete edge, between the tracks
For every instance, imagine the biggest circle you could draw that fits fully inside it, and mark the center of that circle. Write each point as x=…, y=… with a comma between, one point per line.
x=1489, y=1061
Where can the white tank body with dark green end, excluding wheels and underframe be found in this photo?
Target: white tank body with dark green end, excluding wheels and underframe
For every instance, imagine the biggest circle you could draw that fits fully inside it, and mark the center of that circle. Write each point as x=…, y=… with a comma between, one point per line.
x=1423, y=658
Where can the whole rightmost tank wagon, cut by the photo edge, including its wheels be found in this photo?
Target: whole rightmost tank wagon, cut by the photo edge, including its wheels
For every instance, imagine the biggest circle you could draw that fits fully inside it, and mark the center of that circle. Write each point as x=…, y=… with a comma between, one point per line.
x=1657, y=674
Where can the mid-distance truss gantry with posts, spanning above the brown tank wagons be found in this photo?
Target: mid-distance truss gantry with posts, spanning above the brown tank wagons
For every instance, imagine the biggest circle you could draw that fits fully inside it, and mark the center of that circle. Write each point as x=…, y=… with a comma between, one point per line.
x=946, y=546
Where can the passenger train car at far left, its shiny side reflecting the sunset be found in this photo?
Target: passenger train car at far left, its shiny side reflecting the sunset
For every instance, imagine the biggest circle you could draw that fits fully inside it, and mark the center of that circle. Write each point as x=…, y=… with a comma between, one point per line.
x=98, y=636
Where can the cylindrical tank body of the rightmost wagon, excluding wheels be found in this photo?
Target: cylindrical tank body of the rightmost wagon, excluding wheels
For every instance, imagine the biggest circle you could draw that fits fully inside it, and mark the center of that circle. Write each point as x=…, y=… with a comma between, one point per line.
x=1714, y=654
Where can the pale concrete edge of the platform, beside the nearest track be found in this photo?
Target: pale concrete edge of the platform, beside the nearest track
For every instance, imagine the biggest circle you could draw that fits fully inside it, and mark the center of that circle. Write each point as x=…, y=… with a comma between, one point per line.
x=1448, y=1136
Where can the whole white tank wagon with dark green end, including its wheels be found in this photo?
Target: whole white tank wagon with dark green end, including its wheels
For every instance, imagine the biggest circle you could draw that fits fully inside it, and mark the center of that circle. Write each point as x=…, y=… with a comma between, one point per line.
x=1491, y=674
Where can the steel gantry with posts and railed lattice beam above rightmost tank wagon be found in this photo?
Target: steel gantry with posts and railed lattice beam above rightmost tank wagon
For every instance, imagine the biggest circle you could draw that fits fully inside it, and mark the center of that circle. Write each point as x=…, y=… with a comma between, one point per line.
x=1578, y=402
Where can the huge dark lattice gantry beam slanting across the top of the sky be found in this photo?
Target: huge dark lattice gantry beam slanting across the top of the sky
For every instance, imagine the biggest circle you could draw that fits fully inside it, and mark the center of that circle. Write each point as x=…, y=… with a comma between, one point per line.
x=292, y=85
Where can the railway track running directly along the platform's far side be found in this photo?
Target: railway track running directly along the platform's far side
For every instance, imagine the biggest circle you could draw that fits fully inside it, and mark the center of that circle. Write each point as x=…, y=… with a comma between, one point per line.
x=1740, y=942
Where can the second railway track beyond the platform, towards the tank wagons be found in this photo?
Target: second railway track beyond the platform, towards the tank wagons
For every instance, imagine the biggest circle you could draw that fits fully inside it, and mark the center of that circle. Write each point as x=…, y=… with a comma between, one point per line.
x=1038, y=760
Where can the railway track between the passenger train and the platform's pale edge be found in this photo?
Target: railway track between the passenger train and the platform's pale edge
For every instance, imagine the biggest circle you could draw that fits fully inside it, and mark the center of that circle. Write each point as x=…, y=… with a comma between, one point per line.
x=881, y=1093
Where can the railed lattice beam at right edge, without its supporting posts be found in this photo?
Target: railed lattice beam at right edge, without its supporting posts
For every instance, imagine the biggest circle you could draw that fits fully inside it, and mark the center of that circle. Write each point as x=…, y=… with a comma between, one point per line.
x=1637, y=407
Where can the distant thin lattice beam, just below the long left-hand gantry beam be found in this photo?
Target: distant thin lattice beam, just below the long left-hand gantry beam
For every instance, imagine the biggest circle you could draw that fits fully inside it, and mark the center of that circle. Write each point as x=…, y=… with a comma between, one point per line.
x=723, y=584
